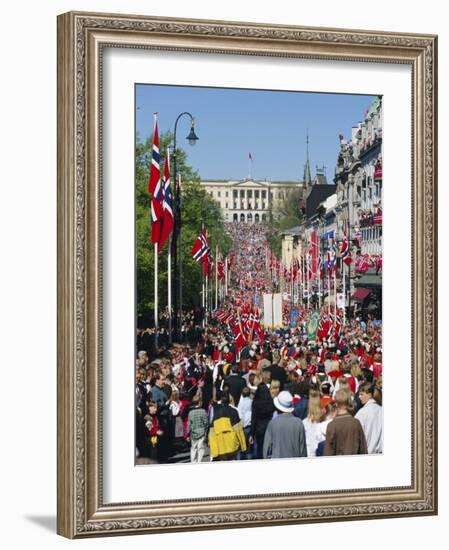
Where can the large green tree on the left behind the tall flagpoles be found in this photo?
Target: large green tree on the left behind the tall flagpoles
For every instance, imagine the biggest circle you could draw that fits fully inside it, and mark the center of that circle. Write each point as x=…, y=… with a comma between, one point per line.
x=197, y=207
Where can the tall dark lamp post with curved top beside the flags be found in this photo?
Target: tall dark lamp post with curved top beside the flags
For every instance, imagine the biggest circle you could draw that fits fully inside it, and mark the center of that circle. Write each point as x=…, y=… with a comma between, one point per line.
x=176, y=240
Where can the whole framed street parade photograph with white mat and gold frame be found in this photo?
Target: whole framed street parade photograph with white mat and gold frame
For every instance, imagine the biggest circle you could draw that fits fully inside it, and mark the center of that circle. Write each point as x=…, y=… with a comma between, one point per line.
x=246, y=328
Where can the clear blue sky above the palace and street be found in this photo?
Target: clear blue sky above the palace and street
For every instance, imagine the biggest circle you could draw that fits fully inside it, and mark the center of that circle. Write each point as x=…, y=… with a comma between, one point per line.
x=271, y=125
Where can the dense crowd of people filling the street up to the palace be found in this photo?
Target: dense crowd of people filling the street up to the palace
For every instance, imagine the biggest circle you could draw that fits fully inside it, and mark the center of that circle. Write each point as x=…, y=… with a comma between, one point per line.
x=277, y=394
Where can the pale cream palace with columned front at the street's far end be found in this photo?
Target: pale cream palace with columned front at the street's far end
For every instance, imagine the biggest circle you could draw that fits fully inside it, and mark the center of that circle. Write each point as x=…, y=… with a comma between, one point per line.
x=249, y=200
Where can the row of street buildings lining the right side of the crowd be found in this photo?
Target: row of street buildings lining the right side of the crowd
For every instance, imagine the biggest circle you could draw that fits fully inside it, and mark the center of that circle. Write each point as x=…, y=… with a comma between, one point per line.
x=351, y=208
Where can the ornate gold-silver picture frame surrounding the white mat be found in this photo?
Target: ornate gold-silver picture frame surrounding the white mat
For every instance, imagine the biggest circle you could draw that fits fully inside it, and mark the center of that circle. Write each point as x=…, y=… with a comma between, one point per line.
x=82, y=38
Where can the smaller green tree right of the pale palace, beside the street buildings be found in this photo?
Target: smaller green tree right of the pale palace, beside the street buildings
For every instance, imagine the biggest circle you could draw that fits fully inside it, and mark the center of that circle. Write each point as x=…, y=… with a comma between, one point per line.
x=287, y=213
